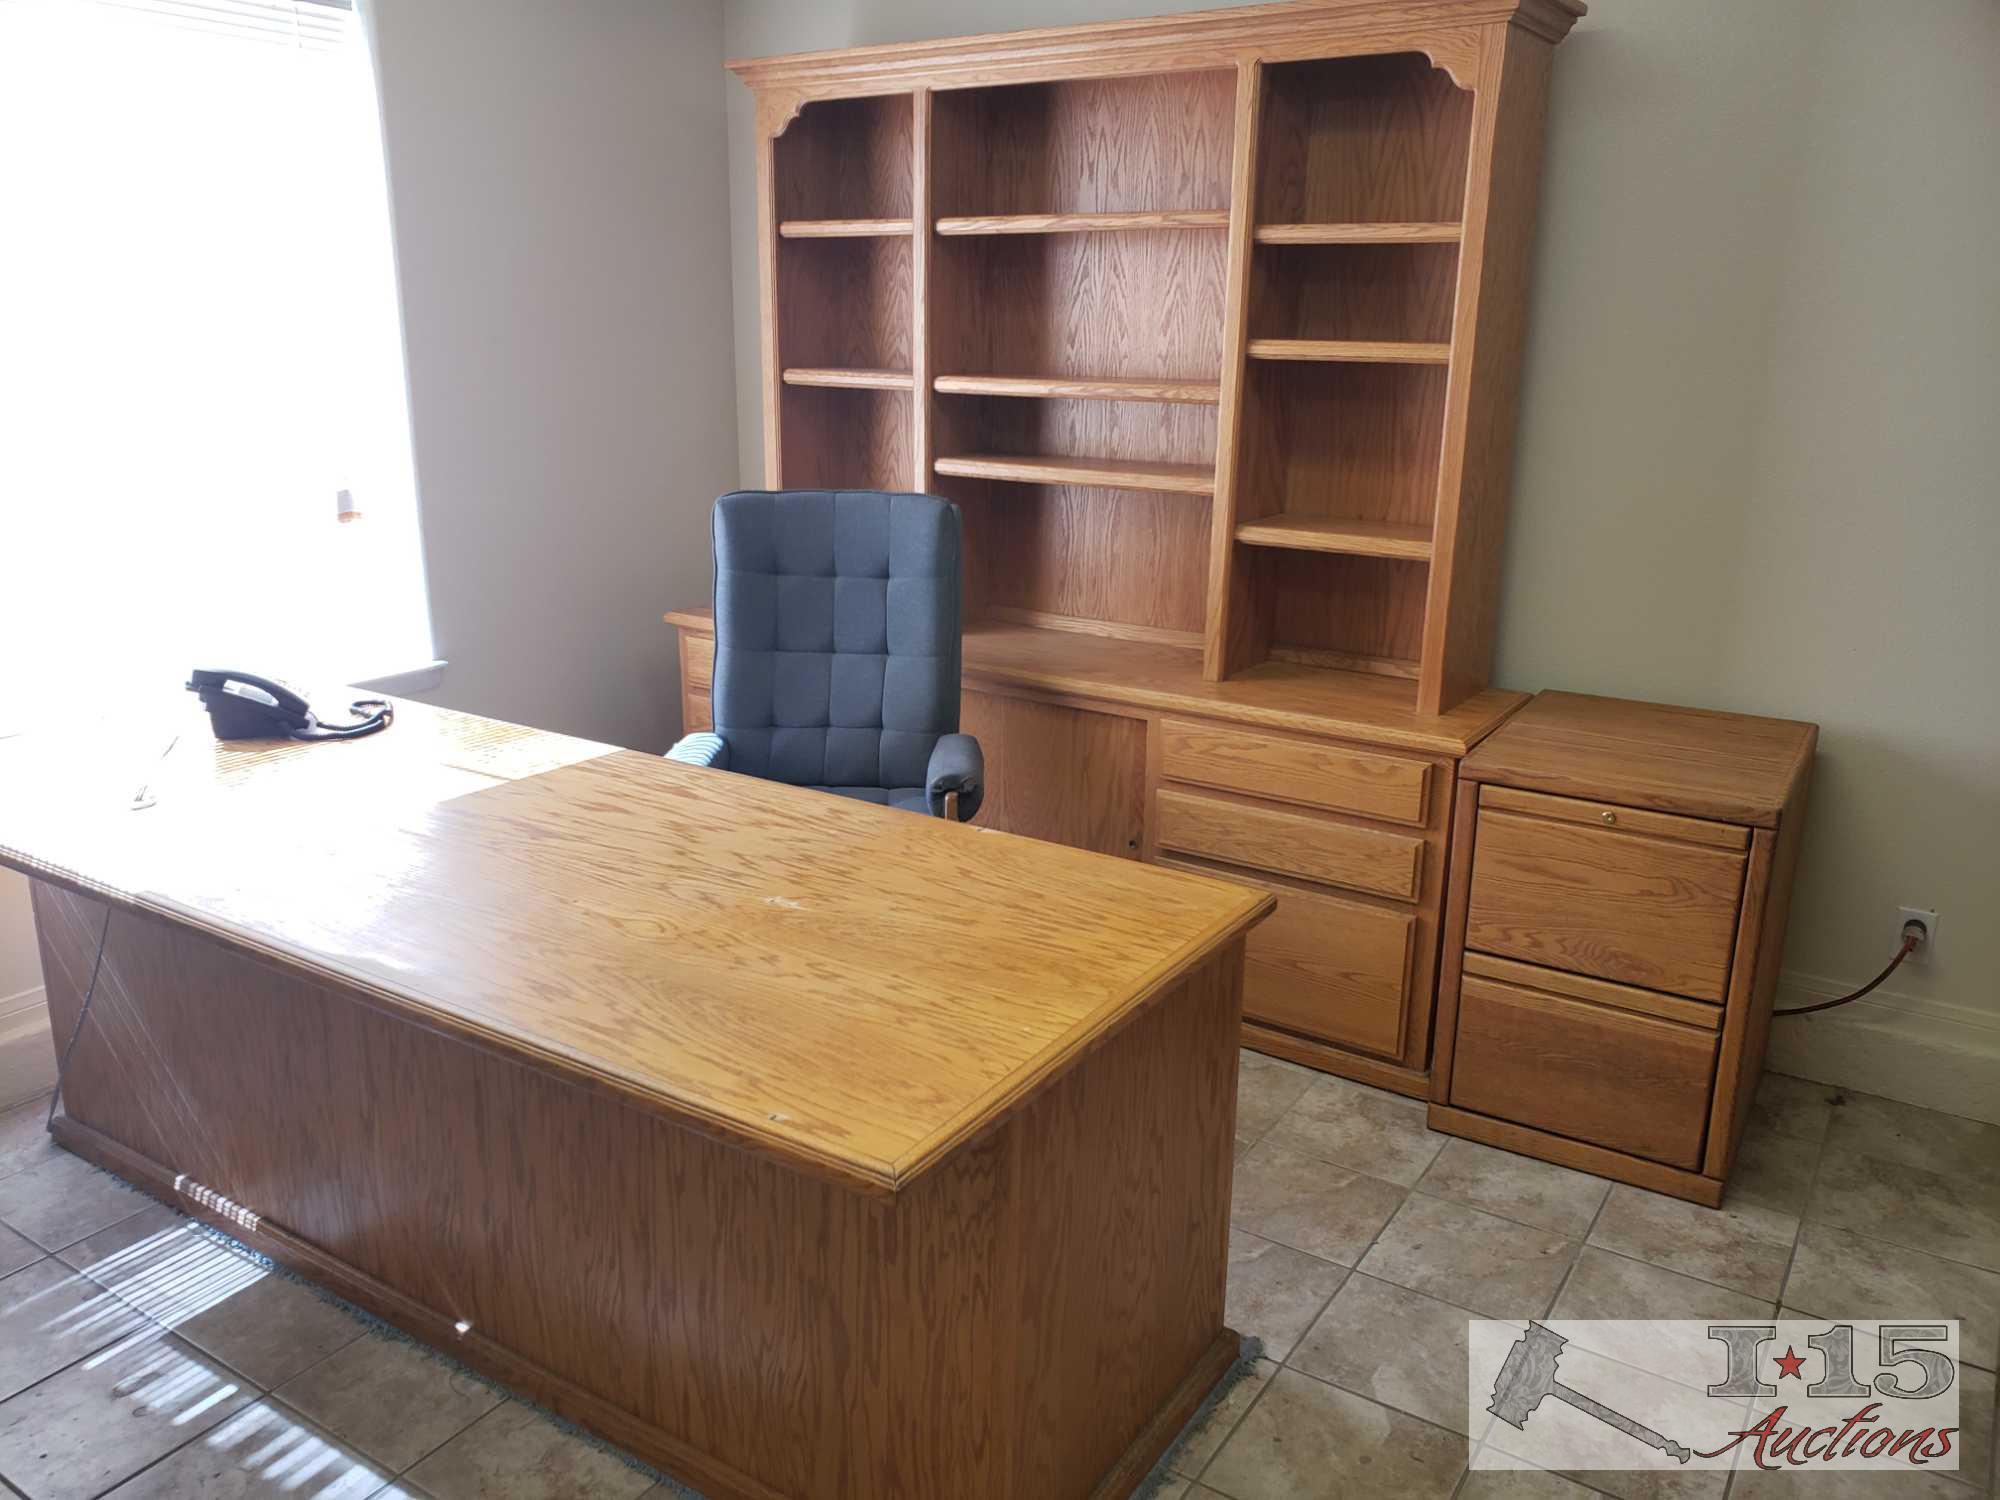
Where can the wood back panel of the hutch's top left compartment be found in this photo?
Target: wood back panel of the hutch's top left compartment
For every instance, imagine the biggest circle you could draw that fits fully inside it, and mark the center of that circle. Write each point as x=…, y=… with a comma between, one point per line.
x=847, y=159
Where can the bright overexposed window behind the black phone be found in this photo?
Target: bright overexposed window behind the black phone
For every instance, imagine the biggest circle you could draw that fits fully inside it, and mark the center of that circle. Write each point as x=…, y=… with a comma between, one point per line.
x=199, y=351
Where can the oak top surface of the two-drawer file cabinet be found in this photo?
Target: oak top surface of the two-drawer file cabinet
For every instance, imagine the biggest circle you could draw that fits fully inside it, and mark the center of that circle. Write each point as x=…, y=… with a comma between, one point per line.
x=1687, y=761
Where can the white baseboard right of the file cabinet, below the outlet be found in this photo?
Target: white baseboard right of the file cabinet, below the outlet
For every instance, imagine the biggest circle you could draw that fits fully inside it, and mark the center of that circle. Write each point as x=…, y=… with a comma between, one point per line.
x=1929, y=1053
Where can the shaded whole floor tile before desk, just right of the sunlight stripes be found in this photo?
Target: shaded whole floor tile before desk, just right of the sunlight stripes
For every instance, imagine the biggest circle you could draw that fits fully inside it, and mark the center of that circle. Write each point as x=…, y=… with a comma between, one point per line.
x=389, y=1399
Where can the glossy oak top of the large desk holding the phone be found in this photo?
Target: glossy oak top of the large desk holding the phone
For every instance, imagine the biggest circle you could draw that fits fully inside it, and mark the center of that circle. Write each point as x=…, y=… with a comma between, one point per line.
x=851, y=989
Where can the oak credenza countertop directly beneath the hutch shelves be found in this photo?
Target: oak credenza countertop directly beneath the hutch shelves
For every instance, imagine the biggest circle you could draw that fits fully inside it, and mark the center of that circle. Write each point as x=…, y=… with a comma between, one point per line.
x=1139, y=675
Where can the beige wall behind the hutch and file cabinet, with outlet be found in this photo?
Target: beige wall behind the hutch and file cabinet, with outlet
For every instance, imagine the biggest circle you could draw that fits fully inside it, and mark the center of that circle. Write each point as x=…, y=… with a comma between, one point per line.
x=1759, y=447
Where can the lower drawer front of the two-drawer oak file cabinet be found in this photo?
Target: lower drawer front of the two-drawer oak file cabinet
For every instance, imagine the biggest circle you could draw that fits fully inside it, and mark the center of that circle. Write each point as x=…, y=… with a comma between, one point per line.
x=1621, y=1081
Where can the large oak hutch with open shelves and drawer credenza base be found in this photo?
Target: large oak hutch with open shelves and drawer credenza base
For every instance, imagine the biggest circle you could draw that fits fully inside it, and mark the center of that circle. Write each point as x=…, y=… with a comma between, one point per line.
x=1211, y=325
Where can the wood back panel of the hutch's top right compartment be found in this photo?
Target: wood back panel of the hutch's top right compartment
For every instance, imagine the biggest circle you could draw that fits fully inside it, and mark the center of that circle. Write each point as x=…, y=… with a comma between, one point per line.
x=1365, y=139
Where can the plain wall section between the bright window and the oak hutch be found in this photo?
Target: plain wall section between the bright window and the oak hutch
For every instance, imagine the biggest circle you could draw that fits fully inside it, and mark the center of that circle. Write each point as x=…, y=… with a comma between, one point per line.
x=557, y=177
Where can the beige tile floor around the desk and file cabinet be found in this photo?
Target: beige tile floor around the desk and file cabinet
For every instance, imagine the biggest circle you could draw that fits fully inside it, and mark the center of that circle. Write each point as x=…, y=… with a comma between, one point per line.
x=143, y=1361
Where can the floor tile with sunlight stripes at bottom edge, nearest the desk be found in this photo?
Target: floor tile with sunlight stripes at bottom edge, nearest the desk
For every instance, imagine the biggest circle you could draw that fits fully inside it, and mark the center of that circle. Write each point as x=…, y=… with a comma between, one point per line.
x=263, y=1453
